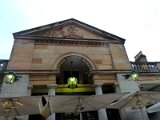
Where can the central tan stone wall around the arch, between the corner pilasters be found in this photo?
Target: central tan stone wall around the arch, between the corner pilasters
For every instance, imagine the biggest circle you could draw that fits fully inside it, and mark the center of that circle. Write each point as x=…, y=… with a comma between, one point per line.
x=45, y=57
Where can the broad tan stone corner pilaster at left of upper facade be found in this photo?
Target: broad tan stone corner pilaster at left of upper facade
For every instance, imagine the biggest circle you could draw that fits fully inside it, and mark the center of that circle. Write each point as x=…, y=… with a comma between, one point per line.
x=21, y=55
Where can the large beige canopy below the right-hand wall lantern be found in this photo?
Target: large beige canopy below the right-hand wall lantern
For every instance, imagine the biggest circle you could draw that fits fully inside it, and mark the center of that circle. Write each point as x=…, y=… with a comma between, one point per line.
x=138, y=99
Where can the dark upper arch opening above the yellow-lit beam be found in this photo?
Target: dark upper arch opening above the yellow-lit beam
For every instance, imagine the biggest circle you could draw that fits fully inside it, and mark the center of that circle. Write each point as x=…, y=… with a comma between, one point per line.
x=76, y=66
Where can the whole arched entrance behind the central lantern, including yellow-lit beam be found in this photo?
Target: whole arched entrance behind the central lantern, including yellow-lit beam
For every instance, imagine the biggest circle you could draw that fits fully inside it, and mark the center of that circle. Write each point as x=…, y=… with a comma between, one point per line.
x=79, y=68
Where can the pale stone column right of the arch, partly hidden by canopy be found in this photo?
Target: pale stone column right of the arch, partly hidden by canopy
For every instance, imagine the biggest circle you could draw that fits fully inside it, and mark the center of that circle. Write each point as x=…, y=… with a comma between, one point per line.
x=102, y=115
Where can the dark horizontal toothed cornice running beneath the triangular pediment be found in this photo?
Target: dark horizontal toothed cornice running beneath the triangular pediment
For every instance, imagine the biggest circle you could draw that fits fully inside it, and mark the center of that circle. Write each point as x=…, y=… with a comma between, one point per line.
x=75, y=41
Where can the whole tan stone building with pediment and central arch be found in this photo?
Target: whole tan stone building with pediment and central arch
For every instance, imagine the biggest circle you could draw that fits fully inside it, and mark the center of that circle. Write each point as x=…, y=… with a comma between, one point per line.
x=46, y=56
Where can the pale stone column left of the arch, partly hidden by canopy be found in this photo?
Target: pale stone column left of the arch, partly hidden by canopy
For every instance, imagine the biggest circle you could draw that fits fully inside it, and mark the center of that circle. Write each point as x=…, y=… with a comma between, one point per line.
x=51, y=91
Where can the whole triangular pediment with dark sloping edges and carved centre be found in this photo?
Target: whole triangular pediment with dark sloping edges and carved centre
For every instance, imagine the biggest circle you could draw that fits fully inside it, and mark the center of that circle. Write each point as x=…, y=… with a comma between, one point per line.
x=70, y=28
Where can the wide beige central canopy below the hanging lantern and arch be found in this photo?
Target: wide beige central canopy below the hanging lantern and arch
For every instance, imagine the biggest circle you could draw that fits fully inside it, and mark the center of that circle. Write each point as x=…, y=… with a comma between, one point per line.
x=77, y=103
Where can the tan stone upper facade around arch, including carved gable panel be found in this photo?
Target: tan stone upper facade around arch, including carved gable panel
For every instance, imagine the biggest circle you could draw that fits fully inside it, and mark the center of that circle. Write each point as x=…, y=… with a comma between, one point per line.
x=104, y=52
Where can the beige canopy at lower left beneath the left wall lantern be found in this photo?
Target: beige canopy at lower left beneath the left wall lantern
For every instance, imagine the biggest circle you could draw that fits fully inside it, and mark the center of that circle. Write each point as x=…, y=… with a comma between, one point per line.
x=18, y=106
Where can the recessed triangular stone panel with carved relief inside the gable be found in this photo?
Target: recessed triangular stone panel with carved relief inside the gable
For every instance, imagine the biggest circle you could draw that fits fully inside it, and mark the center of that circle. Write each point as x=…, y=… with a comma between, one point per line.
x=67, y=31
